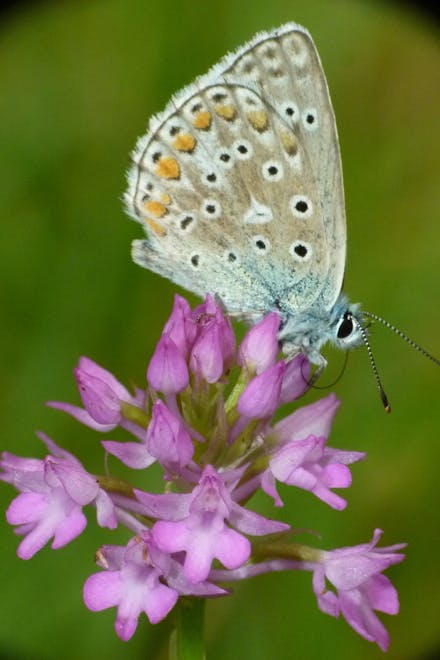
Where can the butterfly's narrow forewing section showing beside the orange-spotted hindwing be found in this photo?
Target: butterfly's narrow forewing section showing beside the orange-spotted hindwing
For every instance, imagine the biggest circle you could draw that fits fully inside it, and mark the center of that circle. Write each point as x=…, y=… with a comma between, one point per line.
x=287, y=67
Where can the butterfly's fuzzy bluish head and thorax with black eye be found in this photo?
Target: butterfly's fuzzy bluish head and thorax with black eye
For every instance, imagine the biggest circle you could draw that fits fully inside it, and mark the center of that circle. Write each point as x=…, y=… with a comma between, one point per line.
x=308, y=331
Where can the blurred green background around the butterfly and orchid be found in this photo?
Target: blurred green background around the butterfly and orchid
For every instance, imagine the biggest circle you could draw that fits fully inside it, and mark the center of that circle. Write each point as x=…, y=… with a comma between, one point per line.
x=78, y=81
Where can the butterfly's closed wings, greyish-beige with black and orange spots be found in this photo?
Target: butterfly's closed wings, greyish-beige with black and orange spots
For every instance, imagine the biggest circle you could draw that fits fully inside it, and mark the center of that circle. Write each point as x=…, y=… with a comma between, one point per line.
x=239, y=185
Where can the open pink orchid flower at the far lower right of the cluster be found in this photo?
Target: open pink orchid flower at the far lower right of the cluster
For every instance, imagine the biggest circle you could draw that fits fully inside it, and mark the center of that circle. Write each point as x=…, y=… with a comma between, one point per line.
x=356, y=574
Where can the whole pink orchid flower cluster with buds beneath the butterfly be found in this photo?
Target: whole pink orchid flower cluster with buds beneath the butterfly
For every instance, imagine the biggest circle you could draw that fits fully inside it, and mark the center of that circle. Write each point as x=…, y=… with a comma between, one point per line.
x=206, y=415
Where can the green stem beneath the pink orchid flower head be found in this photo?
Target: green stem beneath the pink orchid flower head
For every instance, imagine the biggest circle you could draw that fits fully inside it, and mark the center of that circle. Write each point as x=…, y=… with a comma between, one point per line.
x=187, y=641
